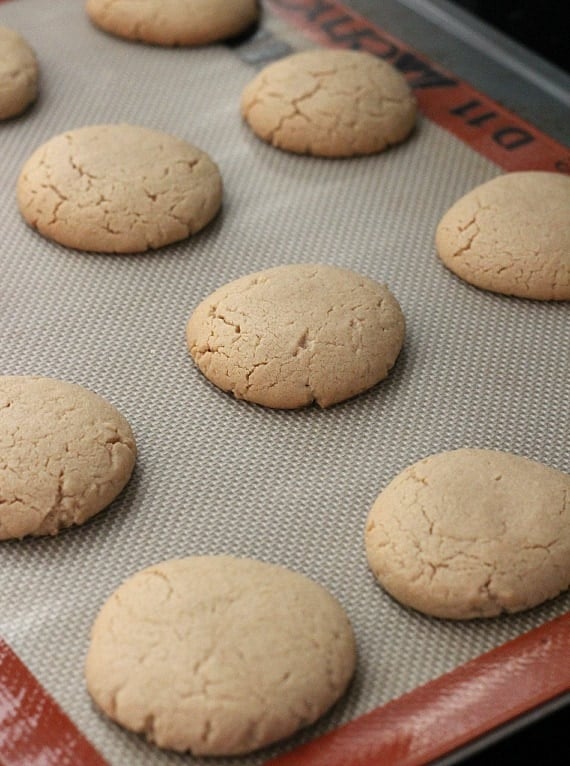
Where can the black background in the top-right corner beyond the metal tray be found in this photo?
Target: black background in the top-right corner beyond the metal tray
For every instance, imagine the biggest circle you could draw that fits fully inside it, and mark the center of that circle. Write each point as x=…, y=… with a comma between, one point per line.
x=541, y=25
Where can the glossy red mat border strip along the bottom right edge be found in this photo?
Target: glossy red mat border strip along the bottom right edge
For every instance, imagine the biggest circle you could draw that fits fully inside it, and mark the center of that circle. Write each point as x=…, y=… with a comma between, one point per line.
x=437, y=718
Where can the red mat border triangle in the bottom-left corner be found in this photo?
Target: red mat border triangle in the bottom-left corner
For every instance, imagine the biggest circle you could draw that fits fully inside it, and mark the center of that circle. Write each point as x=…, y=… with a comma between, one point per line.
x=34, y=730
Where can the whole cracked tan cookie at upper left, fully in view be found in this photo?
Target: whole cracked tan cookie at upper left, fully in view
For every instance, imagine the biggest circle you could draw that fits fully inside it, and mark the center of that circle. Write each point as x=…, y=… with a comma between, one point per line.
x=118, y=189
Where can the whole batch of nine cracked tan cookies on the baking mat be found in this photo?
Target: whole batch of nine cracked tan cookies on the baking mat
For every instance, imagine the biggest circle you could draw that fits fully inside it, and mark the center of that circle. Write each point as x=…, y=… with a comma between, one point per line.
x=286, y=338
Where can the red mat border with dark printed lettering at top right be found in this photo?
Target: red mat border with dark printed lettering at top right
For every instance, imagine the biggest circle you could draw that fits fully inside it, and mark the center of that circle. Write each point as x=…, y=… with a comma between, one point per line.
x=486, y=126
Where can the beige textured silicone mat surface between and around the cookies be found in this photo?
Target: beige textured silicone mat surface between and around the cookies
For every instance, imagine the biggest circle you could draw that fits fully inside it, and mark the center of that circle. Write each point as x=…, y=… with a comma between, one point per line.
x=219, y=476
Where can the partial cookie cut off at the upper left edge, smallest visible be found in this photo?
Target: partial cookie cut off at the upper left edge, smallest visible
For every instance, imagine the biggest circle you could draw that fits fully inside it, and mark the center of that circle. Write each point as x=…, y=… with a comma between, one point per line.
x=18, y=74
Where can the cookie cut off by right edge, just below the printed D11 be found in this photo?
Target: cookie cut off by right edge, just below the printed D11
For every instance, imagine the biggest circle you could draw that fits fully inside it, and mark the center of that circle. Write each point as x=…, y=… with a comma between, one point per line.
x=511, y=235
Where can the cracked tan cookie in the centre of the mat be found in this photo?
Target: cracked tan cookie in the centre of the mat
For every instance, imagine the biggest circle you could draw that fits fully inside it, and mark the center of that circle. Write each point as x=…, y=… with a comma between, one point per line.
x=297, y=334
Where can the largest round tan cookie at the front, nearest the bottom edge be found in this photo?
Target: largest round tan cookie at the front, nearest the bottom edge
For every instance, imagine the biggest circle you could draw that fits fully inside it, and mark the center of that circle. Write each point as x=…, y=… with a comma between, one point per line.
x=219, y=655
